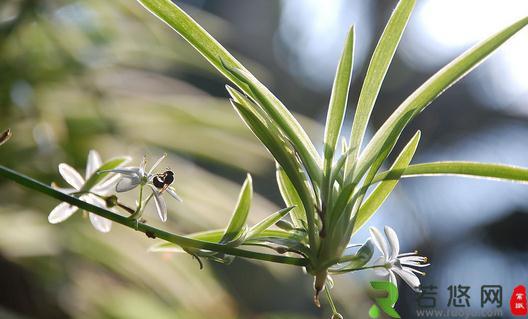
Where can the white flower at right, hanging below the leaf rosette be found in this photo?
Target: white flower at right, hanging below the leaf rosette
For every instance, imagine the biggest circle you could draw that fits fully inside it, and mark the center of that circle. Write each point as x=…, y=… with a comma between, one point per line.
x=395, y=263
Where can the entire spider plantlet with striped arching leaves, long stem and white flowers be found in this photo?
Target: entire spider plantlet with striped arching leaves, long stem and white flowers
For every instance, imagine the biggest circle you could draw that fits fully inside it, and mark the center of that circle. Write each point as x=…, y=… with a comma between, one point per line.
x=325, y=194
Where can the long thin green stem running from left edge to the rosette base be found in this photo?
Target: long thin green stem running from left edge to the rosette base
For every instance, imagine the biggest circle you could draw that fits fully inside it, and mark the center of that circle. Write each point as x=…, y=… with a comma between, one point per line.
x=152, y=231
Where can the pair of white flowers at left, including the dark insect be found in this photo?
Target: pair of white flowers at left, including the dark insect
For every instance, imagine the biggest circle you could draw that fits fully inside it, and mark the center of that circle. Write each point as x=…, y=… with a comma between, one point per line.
x=101, y=179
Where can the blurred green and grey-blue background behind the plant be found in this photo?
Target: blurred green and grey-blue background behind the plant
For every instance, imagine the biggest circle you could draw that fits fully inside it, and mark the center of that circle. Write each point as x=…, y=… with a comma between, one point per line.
x=79, y=74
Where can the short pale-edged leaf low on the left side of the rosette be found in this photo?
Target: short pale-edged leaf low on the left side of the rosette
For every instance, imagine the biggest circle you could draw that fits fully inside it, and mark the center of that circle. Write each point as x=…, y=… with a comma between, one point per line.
x=291, y=198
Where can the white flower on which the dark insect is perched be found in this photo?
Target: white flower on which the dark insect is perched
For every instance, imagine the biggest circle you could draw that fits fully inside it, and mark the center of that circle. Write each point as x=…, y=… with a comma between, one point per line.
x=135, y=176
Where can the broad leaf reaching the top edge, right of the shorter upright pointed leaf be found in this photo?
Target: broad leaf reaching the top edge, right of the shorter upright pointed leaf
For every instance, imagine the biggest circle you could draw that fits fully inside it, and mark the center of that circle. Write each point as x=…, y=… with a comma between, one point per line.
x=379, y=64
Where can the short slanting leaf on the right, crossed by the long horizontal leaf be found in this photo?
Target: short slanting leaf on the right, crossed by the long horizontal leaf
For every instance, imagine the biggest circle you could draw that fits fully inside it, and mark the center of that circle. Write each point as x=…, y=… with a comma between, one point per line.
x=383, y=190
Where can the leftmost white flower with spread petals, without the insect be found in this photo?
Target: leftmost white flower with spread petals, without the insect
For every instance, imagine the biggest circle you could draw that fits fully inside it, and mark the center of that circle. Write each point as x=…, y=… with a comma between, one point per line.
x=64, y=210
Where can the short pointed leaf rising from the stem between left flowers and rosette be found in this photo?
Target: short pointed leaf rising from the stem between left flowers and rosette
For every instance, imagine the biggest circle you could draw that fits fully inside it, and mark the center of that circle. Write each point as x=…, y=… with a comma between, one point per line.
x=239, y=217
